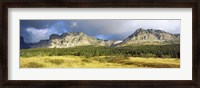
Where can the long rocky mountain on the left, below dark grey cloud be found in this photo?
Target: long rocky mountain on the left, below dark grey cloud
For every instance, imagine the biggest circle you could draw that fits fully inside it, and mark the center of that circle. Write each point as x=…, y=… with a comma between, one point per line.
x=72, y=39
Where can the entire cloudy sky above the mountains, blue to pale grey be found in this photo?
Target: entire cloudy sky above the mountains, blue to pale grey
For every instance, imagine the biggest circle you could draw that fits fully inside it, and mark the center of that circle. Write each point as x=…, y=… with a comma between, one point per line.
x=35, y=30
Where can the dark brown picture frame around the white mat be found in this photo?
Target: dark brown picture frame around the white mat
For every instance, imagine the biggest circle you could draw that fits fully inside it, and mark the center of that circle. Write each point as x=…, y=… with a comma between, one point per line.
x=194, y=4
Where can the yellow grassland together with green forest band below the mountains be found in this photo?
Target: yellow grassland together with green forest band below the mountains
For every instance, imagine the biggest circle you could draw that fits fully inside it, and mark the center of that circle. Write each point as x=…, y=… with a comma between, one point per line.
x=165, y=56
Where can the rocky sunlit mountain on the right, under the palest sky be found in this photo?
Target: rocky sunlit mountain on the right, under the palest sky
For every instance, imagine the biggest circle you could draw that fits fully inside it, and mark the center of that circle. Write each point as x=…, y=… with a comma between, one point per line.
x=150, y=37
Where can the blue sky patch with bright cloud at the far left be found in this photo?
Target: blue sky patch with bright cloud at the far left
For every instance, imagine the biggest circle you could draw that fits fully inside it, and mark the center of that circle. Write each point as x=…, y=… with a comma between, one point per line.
x=36, y=30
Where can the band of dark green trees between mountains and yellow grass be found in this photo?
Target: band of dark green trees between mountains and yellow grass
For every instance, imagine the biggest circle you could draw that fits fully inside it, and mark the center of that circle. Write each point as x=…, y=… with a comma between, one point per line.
x=163, y=51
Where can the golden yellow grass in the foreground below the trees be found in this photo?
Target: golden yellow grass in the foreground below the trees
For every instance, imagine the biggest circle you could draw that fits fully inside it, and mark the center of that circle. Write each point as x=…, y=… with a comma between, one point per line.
x=97, y=62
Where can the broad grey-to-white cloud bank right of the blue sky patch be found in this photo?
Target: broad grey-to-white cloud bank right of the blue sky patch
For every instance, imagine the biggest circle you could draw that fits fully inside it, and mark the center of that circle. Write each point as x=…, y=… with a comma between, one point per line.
x=120, y=29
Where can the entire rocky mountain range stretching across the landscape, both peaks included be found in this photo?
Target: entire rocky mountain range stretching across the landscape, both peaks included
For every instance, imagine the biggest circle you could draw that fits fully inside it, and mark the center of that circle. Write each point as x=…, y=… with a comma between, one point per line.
x=139, y=37
